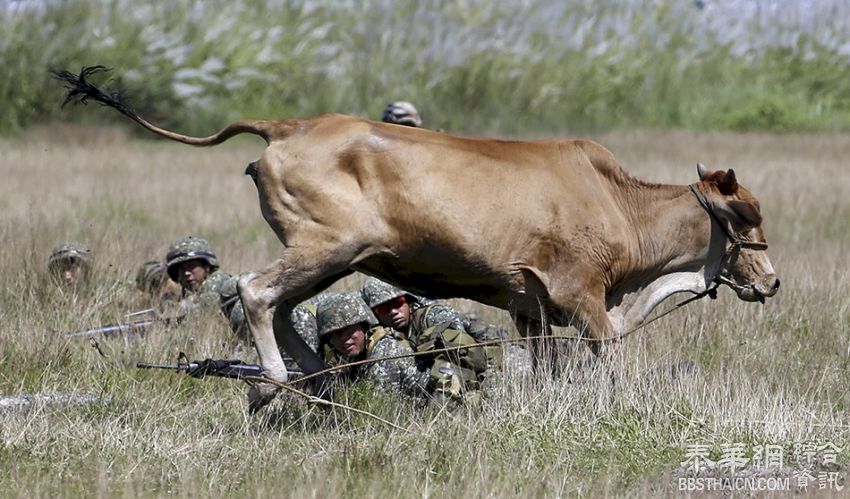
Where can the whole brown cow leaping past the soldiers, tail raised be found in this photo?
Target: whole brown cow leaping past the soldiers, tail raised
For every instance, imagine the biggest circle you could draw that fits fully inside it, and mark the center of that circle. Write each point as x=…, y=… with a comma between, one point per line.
x=554, y=231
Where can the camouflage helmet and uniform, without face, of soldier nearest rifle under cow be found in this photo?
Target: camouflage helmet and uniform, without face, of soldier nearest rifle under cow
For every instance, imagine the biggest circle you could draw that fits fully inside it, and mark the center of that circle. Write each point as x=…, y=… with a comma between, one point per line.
x=400, y=375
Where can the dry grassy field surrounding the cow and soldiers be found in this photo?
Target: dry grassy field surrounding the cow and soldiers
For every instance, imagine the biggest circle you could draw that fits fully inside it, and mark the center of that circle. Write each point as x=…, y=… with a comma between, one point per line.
x=773, y=374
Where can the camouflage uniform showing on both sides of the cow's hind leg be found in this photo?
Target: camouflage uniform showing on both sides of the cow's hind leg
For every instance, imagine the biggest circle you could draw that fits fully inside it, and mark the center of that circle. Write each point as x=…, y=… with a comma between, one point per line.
x=303, y=317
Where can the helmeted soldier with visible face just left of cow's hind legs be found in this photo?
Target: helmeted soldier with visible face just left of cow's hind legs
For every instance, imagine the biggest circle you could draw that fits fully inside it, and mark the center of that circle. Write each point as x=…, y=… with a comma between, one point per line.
x=191, y=262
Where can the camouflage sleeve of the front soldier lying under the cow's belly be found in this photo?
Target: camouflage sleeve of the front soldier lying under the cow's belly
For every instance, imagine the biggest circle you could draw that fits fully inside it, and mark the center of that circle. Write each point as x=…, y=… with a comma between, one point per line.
x=400, y=375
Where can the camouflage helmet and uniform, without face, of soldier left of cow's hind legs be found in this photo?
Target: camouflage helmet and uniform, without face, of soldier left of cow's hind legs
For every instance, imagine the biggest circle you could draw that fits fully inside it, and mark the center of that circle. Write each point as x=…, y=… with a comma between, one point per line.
x=207, y=295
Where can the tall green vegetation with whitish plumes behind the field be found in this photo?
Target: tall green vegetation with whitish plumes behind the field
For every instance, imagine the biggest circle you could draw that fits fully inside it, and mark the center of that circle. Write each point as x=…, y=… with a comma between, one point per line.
x=472, y=66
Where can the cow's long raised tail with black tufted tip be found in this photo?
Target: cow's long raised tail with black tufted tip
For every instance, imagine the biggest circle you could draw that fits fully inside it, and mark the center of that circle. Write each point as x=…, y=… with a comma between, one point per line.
x=81, y=90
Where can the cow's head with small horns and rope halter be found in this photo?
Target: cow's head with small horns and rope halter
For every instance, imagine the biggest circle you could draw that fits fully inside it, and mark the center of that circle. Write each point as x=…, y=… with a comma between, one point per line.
x=746, y=267
